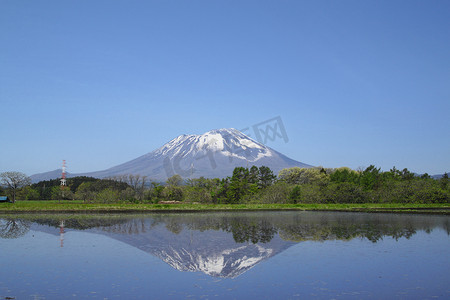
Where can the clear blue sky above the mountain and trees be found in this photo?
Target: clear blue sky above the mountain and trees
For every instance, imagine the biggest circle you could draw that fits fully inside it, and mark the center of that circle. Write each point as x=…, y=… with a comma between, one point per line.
x=99, y=83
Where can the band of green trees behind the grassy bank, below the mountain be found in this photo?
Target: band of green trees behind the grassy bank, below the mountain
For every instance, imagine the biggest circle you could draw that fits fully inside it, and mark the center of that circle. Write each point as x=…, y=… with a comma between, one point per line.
x=253, y=185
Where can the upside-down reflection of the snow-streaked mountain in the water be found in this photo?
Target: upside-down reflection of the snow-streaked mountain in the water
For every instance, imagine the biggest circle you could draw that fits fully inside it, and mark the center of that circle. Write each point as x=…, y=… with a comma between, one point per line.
x=213, y=252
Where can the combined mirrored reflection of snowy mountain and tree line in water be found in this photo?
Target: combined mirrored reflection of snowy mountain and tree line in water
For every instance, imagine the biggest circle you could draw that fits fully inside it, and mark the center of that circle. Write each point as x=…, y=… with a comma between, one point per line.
x=228, y=244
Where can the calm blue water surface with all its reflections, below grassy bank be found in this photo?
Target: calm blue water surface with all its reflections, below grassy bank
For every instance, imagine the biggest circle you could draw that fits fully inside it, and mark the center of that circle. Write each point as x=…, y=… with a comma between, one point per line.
x=266, y=255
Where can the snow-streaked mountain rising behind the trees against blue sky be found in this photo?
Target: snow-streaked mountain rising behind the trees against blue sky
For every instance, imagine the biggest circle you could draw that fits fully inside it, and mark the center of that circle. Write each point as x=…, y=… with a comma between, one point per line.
x=213, y=155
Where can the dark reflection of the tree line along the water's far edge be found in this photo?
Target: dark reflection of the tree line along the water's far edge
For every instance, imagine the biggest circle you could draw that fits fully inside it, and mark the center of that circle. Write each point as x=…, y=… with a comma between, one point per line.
x=246, y=227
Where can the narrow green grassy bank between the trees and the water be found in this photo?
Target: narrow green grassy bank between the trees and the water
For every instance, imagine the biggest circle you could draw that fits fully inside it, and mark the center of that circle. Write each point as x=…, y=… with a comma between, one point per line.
x=78, y=206
